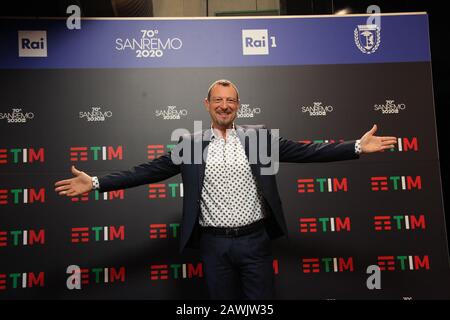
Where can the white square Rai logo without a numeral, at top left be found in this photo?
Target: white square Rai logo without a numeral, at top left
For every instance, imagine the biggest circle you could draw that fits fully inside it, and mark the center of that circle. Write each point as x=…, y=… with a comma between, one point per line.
x=32, y=43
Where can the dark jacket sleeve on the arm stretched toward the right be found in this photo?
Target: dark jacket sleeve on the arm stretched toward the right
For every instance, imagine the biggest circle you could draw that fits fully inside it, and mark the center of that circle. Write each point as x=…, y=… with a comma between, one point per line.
x=292, y=151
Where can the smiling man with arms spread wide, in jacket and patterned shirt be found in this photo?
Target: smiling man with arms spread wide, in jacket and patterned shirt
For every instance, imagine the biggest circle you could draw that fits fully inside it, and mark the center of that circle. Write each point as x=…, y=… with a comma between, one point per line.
x=231, y=210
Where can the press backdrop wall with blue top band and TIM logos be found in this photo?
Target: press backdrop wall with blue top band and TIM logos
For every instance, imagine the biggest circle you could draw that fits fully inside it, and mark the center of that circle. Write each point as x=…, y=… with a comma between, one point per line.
x=108, y=97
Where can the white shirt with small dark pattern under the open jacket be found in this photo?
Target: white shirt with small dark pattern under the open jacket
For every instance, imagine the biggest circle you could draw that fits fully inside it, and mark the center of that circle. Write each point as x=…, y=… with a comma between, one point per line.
x=230, y=195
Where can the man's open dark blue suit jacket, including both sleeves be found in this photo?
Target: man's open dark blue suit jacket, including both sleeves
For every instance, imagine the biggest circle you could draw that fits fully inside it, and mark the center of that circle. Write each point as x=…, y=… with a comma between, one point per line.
x=192, y=174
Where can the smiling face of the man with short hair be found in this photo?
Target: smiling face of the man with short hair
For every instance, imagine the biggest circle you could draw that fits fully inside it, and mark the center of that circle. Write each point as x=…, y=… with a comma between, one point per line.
x=222, y=106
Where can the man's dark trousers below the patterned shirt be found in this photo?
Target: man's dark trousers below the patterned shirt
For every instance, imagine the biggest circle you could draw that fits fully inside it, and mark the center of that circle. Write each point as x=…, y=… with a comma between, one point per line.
x=238, y=267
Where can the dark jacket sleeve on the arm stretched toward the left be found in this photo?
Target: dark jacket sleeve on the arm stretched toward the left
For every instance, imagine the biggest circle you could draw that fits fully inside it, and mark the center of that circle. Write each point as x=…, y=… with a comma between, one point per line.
x=156, y=170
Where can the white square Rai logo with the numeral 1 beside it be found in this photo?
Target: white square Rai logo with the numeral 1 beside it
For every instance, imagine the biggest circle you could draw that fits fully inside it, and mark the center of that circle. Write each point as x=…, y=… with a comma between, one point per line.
x=256, y=42
